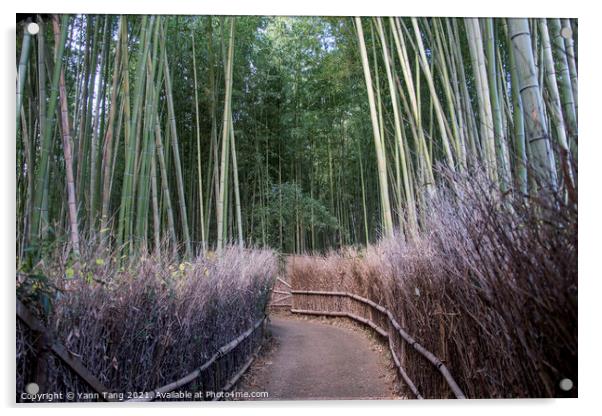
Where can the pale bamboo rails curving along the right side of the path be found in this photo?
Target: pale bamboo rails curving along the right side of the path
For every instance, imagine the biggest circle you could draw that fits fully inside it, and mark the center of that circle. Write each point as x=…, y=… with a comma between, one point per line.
x=383, y=317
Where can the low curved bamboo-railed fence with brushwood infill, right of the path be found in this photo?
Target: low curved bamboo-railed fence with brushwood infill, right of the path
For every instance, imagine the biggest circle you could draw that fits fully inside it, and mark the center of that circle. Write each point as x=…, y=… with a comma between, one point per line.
x=344, y=304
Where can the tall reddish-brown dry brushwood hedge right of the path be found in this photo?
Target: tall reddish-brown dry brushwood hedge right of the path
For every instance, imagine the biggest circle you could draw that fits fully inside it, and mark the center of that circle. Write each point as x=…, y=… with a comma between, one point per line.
x=489, y=286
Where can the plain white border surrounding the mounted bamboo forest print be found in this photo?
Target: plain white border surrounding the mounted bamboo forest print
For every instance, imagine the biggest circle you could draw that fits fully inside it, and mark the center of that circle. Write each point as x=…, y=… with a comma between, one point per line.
x=589, y=150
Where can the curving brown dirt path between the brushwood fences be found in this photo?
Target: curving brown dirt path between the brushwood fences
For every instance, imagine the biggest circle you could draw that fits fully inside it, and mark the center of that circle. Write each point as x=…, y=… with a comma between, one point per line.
x=312, y=360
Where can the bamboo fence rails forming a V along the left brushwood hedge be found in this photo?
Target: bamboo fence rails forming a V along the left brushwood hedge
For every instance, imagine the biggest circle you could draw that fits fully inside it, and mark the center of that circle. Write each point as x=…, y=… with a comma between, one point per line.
x=49, y=344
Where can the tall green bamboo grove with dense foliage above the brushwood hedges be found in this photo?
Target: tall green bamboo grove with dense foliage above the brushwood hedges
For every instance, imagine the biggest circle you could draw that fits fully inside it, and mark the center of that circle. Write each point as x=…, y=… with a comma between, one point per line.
x=207, y=130
